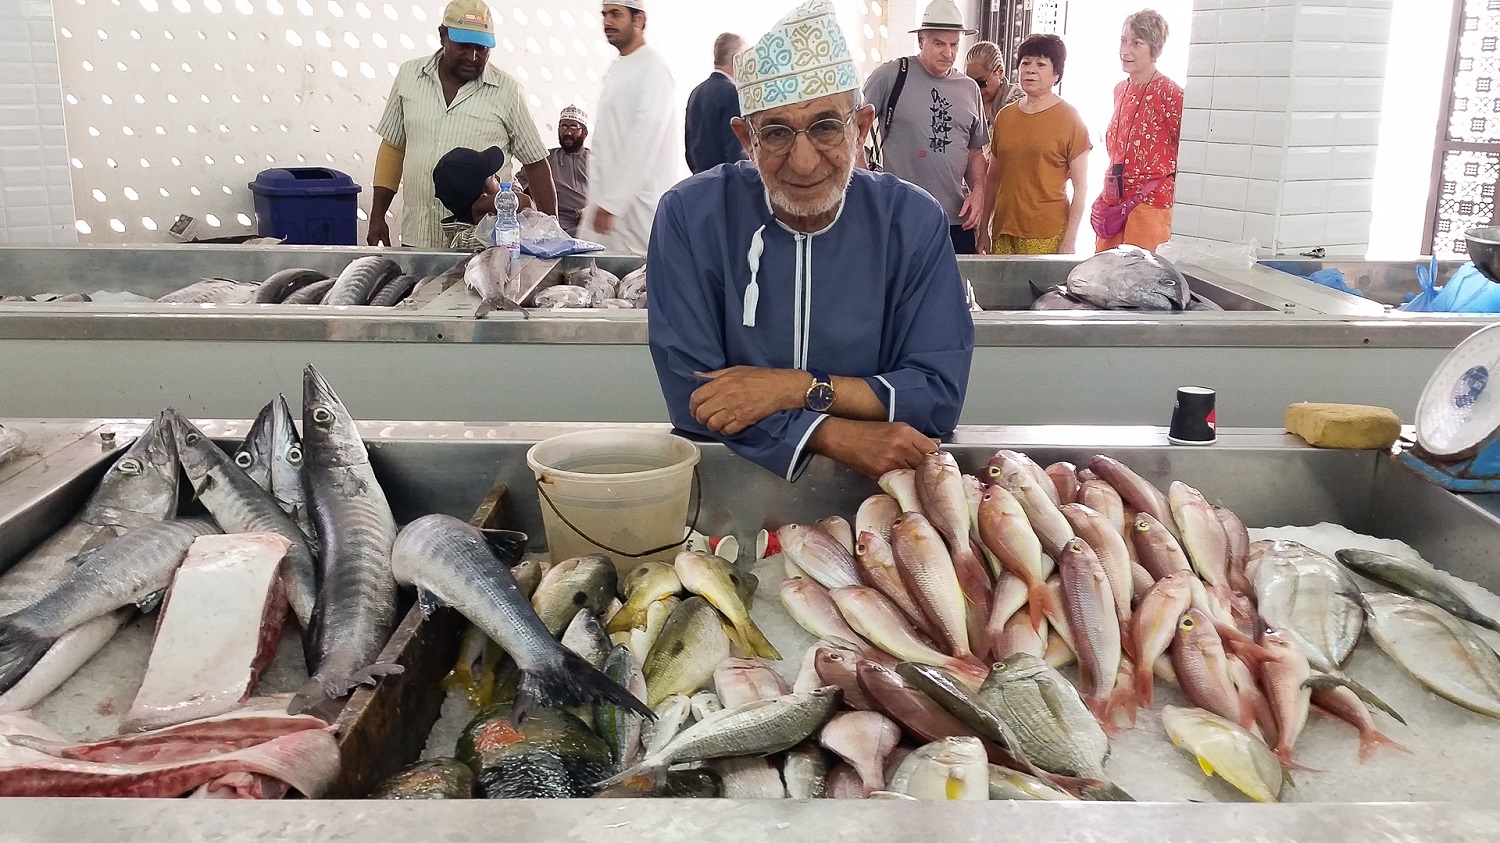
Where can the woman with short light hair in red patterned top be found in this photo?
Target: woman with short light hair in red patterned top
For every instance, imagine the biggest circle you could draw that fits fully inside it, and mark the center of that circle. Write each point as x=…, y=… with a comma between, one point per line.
x=1144, y=136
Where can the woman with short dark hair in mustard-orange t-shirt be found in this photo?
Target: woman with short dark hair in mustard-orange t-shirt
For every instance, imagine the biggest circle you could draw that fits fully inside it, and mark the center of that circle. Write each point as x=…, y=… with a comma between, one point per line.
x=1037, y=146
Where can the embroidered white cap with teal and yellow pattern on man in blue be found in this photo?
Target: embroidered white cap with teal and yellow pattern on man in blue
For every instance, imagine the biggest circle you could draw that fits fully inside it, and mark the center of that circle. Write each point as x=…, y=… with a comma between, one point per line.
x=802, y=59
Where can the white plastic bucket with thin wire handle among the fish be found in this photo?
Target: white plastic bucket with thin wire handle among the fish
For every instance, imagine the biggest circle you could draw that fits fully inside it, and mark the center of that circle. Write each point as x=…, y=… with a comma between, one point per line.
x=623, y=493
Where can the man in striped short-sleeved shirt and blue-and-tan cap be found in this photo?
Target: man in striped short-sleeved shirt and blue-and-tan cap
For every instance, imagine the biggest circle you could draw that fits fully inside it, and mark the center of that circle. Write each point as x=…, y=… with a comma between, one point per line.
x=452, y=100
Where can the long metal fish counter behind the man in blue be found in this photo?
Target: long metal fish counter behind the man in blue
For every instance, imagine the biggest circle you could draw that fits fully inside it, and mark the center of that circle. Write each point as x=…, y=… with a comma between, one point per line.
x=1279, y=341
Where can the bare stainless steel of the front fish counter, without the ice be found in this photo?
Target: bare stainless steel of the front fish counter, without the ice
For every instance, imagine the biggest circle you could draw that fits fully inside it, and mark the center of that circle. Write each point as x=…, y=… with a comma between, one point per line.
x=448, y=467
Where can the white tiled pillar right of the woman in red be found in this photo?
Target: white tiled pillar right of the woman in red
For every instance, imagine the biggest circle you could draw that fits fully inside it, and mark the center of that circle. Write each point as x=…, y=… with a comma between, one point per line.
x=1282, y=124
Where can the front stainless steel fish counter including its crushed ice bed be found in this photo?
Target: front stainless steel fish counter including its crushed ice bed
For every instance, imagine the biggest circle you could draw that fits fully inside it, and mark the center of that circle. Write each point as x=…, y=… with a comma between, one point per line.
x=1441, y=793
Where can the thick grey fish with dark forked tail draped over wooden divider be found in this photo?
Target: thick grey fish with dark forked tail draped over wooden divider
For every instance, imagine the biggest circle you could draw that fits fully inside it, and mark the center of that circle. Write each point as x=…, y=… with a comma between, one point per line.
x=455, y=565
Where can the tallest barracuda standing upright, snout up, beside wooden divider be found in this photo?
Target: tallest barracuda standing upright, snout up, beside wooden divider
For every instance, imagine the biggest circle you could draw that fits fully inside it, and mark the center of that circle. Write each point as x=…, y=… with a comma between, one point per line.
x=356, y=610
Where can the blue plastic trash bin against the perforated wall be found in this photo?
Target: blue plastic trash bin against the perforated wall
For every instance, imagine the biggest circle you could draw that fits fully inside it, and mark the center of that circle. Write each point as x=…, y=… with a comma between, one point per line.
x=307, y=206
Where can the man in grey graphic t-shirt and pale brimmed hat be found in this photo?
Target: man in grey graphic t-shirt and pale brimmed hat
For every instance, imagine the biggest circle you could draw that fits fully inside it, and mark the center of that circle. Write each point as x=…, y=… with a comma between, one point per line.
x=938, y=134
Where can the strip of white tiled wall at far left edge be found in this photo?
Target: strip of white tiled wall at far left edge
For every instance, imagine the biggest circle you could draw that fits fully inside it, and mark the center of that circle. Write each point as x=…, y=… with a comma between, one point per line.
x=37, y=202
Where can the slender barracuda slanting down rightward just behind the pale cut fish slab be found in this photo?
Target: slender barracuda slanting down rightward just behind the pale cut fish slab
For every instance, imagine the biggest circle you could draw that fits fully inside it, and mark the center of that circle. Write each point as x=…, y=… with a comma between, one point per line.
x=241, y=506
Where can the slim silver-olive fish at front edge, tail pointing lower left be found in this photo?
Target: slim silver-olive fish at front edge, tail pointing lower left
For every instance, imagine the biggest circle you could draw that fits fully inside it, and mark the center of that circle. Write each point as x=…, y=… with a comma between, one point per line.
x=755, y=730
